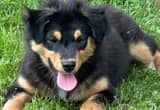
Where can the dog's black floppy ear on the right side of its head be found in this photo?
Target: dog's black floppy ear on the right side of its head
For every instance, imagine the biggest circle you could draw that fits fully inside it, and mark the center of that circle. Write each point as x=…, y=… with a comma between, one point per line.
x=98, y=22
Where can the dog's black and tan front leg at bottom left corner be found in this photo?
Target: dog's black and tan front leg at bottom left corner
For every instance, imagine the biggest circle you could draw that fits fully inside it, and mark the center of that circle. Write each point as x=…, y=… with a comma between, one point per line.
x=18, y=94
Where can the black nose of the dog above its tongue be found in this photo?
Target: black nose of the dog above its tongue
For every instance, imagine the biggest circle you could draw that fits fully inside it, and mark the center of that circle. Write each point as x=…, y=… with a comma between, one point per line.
x=68, y=66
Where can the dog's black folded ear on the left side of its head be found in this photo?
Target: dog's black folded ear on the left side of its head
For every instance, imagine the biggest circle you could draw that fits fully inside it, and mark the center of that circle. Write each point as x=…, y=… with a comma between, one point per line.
x=35, y=21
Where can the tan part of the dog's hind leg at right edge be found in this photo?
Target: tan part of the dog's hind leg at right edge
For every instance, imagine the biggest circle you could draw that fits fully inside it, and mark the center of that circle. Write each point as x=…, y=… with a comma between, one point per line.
x=142, y=52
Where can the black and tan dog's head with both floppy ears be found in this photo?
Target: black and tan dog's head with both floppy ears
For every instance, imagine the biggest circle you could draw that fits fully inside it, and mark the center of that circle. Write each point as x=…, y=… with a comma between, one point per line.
x=65, y=35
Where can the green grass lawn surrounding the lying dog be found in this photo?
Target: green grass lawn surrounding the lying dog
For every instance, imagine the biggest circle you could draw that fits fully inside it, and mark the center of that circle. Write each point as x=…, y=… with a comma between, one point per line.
x=139, y=91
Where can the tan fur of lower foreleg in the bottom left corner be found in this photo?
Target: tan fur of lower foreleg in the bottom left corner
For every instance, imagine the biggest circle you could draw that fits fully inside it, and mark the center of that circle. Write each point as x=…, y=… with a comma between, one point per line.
x=17, y=102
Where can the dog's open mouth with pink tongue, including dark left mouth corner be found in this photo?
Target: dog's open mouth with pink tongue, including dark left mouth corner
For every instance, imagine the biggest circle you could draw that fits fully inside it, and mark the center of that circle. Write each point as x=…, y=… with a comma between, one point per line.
x=65, y=81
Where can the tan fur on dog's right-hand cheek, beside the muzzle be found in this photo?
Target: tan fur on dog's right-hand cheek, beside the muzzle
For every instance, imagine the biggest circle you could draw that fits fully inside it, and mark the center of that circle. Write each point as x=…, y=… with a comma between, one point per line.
x=83, y=55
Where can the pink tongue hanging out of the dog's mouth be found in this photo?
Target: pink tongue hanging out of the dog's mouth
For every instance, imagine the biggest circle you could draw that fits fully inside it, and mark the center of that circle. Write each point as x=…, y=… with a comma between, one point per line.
x=66, y=82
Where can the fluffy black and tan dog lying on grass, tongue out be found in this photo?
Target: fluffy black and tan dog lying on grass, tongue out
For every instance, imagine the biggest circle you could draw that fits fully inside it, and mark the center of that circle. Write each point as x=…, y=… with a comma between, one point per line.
x=78, y=53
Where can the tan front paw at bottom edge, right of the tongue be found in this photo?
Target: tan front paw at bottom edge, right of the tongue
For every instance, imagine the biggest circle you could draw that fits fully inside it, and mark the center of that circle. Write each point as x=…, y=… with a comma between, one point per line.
x=91, y=104
